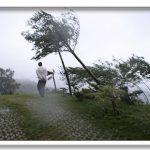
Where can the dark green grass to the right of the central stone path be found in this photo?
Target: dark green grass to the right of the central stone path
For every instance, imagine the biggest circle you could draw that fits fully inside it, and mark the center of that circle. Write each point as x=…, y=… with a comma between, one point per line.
x=132, y=123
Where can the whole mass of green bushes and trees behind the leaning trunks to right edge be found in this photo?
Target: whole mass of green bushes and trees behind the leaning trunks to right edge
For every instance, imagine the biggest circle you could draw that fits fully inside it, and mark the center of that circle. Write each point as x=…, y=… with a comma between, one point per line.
x=119, y=75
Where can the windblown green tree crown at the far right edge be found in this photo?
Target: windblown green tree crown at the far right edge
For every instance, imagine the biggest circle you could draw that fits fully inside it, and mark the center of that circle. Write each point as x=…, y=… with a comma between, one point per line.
x=133, y=70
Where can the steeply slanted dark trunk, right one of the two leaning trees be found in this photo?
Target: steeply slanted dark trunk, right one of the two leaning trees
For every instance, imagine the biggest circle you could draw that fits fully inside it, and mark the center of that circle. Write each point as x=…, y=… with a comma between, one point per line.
x=79, y=60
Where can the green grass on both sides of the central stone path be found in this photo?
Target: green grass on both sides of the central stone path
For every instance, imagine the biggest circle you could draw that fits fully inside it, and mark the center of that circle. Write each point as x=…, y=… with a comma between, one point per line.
x=133, y=122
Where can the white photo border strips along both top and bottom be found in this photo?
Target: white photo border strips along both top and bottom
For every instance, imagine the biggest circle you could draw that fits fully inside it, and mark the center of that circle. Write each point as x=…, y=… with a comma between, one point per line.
x=75, y=3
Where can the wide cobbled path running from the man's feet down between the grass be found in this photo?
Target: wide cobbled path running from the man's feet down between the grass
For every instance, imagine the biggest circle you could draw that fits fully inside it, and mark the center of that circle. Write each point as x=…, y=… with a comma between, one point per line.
x=53, y=111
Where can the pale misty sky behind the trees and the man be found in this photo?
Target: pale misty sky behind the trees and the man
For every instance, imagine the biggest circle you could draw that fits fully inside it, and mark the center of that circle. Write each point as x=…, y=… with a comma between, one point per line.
x=103, y=33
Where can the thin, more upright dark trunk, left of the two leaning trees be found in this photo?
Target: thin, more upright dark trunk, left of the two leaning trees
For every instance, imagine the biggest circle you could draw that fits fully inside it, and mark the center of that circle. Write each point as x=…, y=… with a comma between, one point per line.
x=66, y=73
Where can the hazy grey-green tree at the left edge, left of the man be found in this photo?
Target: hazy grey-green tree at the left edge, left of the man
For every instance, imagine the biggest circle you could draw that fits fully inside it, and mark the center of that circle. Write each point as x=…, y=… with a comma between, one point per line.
x=8, y=85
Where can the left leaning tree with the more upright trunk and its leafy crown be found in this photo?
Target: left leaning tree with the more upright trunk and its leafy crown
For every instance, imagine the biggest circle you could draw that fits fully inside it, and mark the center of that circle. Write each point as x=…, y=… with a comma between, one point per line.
x=45, y=36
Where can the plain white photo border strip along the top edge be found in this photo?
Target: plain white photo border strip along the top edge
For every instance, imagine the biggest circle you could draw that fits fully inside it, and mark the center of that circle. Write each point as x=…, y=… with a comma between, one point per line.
x=74, y=3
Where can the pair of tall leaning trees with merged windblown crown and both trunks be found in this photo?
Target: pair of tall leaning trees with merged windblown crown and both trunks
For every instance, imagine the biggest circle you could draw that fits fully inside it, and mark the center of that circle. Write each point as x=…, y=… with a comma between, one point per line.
x=52, y=34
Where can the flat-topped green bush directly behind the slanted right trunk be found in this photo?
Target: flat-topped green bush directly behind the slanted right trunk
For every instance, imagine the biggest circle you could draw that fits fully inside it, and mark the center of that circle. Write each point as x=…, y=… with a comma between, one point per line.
x=102, y=71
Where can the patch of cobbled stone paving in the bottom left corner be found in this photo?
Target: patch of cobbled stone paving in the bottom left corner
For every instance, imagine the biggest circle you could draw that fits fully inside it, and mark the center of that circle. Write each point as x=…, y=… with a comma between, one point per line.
x=9, y=129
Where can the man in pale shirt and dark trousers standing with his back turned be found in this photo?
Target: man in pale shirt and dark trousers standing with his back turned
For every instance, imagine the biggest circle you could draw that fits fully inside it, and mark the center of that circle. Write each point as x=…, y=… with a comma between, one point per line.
x=41, y=74
